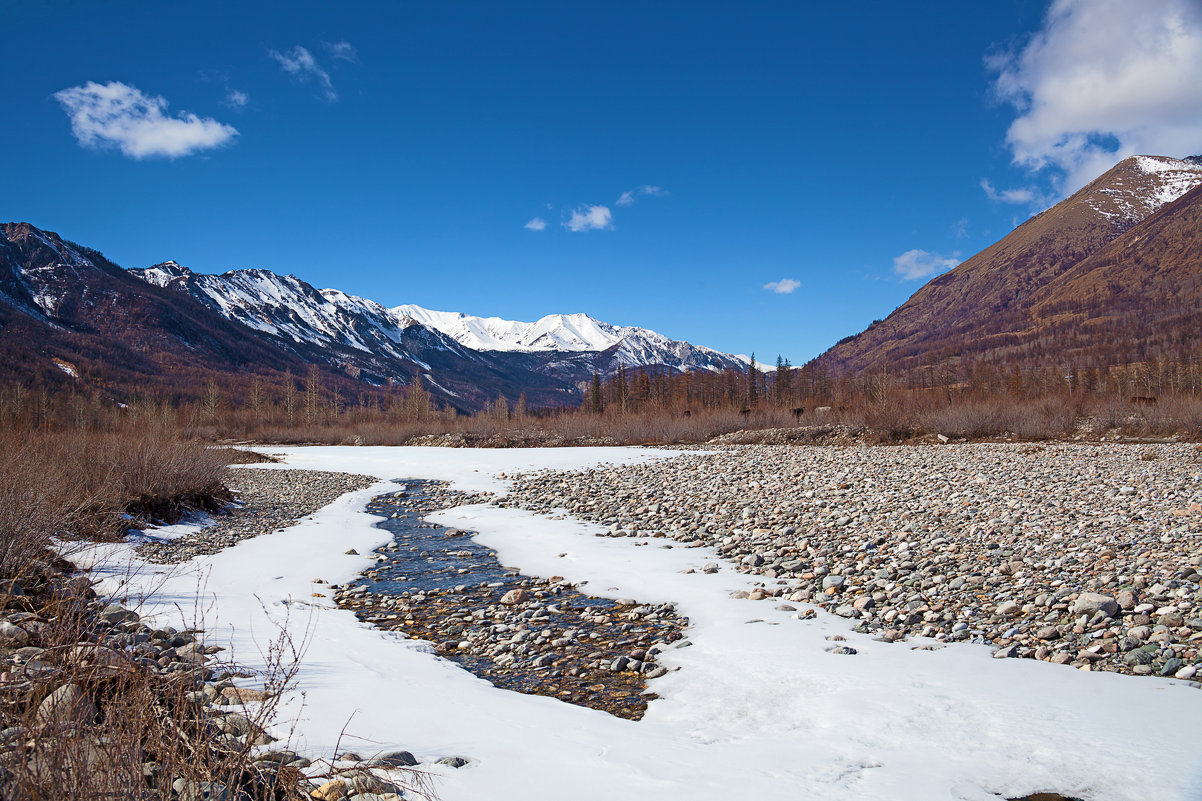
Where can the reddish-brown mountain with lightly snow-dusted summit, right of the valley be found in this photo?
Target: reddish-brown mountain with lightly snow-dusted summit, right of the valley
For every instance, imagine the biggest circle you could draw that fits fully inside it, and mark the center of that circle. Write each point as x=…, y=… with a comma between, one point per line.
x=1110, y=276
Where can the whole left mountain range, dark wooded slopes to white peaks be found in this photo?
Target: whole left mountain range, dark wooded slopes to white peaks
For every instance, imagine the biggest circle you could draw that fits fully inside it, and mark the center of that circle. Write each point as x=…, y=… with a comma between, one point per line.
x=62, y=304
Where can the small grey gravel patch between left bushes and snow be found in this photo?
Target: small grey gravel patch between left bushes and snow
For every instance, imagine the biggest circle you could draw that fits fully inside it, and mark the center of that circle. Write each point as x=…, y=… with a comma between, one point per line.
x=267, y=501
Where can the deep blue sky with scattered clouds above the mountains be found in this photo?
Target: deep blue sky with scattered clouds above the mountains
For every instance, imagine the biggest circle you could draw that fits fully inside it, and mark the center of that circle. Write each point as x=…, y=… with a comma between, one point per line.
x=766, y=176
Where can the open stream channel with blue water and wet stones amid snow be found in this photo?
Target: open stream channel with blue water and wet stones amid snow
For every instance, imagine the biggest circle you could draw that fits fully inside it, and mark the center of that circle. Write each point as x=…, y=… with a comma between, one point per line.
x=532, y=636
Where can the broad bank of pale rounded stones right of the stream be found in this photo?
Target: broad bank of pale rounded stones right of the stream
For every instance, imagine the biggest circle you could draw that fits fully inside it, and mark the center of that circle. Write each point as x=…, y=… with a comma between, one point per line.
x=1075, y=554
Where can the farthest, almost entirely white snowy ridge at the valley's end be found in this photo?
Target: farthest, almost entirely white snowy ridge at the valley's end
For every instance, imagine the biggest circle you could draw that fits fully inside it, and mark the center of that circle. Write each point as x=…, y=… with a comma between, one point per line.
x=573, y=334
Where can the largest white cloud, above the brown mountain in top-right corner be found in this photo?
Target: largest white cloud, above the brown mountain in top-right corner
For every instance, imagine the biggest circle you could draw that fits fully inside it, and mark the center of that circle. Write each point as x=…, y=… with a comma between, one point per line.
x=1104, y=80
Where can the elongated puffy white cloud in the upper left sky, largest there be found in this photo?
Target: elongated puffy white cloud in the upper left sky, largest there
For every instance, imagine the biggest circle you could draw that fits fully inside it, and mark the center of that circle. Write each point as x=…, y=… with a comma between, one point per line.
x=116, y=115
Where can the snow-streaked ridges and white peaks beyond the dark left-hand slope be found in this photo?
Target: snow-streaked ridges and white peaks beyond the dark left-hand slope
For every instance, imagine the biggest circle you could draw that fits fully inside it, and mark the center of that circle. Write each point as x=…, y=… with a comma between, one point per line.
x=287, y=307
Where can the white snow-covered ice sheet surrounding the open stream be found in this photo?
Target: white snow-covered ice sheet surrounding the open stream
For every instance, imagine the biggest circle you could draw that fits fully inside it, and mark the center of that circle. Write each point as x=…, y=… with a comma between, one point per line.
x=759, y=708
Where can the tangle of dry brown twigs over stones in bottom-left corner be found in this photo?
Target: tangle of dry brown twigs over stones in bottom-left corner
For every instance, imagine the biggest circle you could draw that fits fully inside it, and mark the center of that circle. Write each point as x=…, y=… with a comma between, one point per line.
x=85, y=722
